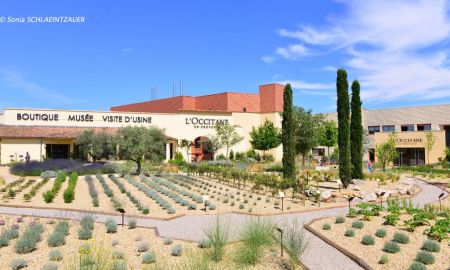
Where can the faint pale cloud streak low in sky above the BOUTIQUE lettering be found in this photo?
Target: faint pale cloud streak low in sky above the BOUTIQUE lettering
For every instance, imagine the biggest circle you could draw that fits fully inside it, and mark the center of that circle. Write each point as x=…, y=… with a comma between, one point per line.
x=12, y=79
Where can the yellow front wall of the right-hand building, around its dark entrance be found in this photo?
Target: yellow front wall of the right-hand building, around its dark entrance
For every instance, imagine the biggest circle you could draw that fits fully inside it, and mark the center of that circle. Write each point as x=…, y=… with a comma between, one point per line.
x=416, y=139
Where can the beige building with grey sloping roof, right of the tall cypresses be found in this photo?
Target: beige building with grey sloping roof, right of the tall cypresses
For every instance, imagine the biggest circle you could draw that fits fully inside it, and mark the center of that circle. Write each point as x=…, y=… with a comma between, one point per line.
x=410, y=124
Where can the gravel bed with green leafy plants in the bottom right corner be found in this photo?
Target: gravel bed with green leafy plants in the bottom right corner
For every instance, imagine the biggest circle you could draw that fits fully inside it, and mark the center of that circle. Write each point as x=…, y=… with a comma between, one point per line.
x=399, y=236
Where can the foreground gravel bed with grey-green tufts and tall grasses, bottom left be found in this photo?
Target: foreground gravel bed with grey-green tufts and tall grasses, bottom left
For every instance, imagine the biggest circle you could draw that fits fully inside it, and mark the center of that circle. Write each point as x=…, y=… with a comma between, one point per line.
x=51, y=244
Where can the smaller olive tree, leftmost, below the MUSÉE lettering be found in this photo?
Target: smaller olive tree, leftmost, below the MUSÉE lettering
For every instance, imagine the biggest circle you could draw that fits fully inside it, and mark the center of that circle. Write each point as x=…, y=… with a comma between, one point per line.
x=95, y=145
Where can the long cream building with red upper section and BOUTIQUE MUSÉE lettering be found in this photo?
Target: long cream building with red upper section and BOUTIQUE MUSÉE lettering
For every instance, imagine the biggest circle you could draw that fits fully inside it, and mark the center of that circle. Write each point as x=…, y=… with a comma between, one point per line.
x=44, y=133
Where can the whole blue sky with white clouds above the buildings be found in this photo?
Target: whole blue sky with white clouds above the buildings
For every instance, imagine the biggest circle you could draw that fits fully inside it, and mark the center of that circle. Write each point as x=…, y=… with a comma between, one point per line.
x=397, y=49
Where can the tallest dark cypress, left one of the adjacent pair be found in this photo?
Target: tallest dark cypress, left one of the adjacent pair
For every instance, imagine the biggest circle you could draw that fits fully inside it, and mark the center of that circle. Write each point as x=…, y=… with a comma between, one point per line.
x=343, y=111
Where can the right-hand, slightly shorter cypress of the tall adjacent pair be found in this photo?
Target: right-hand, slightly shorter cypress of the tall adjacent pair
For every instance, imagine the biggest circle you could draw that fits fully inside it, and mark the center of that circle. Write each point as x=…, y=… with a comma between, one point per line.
x=356, y=132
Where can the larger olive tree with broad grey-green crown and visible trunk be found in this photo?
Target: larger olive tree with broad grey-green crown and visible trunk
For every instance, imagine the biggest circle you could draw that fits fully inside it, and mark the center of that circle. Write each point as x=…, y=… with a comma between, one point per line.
x=141, y=143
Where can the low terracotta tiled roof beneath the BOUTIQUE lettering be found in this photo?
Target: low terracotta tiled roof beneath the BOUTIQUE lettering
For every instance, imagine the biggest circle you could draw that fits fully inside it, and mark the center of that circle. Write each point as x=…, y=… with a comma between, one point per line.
x=46, y=132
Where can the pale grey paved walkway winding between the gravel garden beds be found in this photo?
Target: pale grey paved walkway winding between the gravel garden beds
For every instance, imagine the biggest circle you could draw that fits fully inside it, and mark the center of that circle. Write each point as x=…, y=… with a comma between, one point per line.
x=319, y=255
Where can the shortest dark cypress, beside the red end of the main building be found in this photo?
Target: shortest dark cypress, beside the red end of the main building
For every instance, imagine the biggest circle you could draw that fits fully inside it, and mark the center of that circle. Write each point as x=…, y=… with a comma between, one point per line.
x=287, y=134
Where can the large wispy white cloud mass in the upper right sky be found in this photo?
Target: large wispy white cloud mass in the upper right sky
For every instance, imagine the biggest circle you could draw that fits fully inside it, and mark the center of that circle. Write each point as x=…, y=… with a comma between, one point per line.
x=396, y=49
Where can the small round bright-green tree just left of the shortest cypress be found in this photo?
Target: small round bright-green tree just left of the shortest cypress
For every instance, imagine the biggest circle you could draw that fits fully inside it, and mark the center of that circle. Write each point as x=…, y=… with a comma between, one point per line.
x=265, y=137
